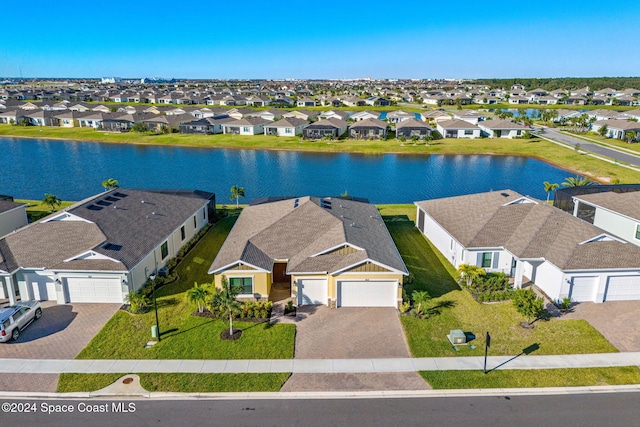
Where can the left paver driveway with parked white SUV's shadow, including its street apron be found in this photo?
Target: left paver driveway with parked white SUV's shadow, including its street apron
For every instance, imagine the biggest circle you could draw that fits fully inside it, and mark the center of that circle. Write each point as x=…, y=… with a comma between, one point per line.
x=62, y=332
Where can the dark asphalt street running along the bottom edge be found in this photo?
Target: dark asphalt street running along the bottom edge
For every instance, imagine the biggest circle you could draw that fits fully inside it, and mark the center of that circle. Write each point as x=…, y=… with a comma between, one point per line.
x=595, y=409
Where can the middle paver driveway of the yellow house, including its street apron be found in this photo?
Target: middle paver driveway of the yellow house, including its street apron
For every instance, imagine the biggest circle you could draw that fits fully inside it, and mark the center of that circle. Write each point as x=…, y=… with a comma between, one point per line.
x=351, y=333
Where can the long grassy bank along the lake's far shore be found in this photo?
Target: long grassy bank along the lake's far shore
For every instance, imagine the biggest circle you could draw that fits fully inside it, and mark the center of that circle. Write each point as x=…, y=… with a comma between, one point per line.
x=556, y=155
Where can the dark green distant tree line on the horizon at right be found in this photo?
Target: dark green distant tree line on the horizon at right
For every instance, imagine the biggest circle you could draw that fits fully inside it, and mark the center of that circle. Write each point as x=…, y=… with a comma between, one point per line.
x=549, y=84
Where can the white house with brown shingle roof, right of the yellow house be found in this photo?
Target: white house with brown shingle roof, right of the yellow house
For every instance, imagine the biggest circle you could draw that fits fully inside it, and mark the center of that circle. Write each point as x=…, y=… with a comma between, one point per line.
x=530, y=240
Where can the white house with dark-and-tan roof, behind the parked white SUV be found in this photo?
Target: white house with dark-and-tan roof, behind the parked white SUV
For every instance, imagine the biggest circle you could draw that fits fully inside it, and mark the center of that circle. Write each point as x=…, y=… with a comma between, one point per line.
x=100, y=249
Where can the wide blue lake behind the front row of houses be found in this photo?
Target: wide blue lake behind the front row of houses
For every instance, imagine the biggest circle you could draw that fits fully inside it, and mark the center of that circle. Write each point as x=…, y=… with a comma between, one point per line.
x=71, y=170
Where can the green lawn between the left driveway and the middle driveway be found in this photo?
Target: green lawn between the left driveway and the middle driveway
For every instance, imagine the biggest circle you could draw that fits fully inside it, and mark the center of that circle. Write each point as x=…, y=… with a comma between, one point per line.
x=185, y=336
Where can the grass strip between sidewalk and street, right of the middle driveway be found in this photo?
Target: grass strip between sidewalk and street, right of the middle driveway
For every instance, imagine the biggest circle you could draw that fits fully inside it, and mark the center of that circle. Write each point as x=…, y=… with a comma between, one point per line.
x=533, y=378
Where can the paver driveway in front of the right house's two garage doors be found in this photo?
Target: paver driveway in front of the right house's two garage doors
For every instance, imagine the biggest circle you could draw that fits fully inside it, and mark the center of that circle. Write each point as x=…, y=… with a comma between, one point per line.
x=616, y=320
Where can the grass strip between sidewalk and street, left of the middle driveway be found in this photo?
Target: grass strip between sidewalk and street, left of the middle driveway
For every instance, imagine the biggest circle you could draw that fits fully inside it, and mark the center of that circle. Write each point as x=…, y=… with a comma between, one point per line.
x=182, y=383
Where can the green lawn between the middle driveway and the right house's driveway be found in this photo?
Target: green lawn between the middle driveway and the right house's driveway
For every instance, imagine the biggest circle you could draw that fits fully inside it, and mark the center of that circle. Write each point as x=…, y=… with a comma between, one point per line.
x=456, y=309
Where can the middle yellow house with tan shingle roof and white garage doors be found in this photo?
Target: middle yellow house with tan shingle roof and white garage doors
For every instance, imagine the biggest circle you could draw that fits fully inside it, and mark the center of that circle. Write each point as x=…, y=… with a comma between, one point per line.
x=330, y=251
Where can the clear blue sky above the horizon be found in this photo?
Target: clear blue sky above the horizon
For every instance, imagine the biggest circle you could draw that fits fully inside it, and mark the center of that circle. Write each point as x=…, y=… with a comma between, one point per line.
x=321, y=39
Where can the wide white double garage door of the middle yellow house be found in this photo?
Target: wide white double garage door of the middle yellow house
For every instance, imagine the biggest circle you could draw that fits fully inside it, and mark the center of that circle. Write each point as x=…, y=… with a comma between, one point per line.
x=372, y=293
